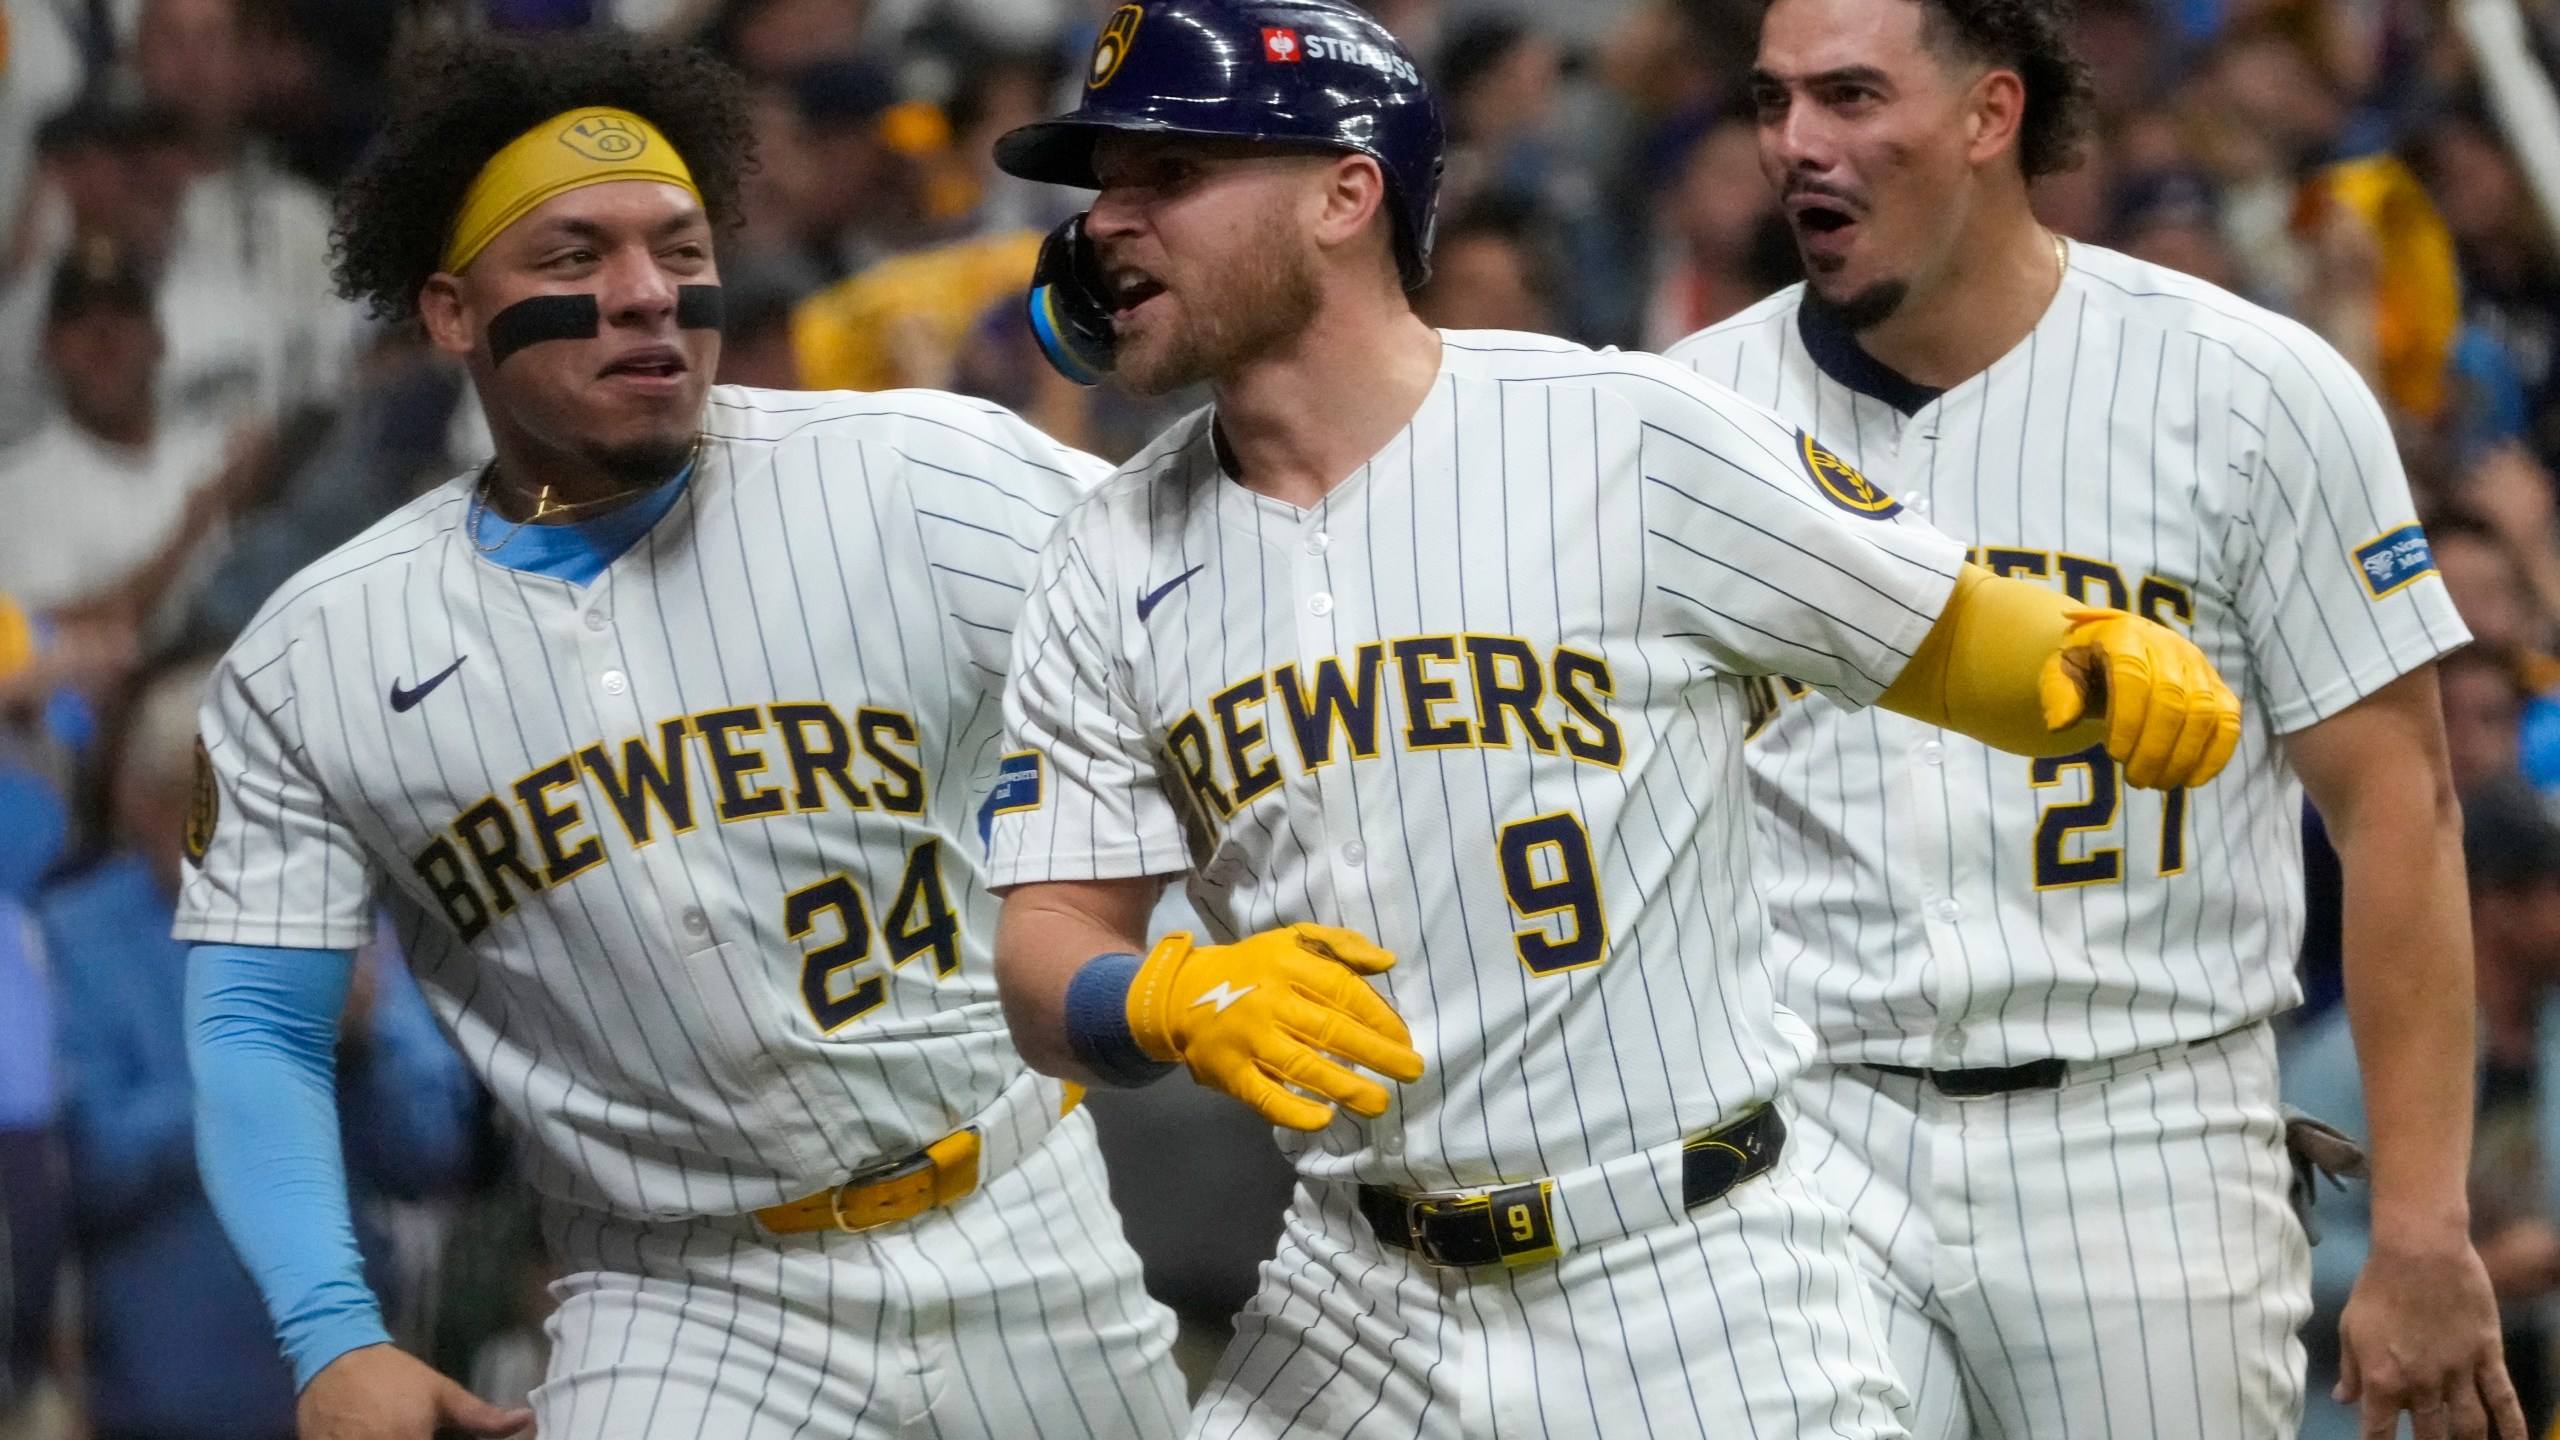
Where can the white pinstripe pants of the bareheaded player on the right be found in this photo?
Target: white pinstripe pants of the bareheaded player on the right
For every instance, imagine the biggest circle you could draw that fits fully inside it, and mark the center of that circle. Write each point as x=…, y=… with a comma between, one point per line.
x=2108, y=1259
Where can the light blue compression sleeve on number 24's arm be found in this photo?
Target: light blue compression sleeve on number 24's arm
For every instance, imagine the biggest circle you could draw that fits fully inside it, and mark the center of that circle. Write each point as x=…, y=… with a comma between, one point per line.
x=262, y=1039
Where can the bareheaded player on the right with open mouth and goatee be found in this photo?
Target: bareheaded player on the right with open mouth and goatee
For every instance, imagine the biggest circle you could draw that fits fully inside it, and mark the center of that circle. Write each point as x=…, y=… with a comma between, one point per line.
x=2047, y=1088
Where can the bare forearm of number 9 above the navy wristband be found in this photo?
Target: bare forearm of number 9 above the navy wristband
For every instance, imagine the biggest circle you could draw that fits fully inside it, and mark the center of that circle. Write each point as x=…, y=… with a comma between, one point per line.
x=1048, y=934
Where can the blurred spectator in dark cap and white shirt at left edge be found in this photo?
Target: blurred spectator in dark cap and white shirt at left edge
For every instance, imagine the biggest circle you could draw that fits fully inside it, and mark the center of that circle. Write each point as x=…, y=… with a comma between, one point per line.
x=111, y=503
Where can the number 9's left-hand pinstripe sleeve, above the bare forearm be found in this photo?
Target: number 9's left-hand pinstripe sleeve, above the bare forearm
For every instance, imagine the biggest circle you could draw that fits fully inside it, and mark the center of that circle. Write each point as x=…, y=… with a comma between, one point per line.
x=1082, y=796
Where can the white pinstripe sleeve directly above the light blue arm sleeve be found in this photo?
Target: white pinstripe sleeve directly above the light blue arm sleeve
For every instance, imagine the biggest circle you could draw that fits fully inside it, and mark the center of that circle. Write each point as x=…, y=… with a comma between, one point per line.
x=273, y=862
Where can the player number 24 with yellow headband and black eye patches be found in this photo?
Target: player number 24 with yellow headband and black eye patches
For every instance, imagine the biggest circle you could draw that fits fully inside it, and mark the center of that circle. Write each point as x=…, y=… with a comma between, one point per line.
x=662, y=739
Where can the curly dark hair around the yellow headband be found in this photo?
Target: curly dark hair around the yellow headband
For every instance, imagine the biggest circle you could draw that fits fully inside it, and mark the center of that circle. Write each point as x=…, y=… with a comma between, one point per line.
x=460, y=101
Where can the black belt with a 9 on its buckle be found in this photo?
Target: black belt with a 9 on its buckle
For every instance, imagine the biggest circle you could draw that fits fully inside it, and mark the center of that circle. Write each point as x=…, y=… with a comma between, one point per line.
x=1519, y=1226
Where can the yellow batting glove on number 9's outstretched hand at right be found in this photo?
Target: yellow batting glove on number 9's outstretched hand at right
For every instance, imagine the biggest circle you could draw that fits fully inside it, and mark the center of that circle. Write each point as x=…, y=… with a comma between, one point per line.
x=2172, y=721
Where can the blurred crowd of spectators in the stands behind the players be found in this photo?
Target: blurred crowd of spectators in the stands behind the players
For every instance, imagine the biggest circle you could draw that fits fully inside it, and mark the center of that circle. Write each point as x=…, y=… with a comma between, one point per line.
x=188, y=416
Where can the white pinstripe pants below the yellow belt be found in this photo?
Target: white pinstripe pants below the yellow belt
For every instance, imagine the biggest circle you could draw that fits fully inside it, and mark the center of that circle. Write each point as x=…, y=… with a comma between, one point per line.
x=1015, y=1316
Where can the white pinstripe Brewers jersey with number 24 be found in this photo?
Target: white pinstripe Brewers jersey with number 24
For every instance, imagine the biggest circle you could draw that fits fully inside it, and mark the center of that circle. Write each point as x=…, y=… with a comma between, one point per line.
x=687, y=860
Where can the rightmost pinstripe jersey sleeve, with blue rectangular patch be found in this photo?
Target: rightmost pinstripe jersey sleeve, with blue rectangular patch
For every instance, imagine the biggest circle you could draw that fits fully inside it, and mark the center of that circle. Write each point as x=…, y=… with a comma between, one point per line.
x=2339, y=588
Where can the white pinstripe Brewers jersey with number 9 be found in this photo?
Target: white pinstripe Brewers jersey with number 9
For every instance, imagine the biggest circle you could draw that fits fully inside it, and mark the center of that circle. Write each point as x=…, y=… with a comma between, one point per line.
x=1486, y=706
